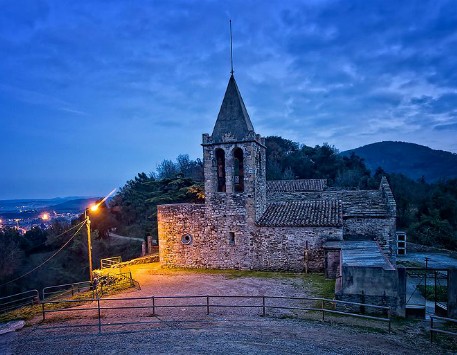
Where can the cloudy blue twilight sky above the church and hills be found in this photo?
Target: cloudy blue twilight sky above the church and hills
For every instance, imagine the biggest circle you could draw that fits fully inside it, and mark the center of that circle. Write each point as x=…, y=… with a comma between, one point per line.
x=93, y=92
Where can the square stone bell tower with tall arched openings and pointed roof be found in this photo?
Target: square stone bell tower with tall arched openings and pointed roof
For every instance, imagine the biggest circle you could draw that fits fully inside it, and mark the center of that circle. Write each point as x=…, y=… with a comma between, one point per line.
x=234, y=161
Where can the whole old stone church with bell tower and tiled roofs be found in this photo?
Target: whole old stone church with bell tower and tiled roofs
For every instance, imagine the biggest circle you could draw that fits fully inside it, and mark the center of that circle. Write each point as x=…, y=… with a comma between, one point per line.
x=248, y=222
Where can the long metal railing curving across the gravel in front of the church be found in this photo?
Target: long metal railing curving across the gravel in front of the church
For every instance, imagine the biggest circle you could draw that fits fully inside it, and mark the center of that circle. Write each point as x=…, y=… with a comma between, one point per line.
x=209, y=304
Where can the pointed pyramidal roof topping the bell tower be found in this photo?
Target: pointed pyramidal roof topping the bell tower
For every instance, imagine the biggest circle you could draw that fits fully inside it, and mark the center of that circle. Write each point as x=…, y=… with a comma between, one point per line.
x=233, y=119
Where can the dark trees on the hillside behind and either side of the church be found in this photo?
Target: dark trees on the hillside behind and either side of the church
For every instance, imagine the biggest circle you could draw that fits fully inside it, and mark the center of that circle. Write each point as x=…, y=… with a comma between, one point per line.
x=426, y=210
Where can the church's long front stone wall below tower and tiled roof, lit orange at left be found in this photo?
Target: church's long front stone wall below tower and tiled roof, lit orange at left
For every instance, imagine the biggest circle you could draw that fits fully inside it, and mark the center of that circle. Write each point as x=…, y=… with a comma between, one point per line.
x=226, y=241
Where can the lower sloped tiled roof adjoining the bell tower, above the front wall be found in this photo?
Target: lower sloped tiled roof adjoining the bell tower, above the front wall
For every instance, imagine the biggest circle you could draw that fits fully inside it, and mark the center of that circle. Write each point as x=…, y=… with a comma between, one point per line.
x=324, y=213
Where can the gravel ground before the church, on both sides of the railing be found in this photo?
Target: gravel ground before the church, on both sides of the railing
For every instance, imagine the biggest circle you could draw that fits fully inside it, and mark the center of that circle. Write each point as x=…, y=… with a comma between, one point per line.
x=224, y=330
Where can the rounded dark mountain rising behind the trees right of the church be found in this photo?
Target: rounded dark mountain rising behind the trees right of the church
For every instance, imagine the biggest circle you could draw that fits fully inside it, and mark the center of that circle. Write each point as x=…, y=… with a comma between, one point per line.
x=412, y=160
